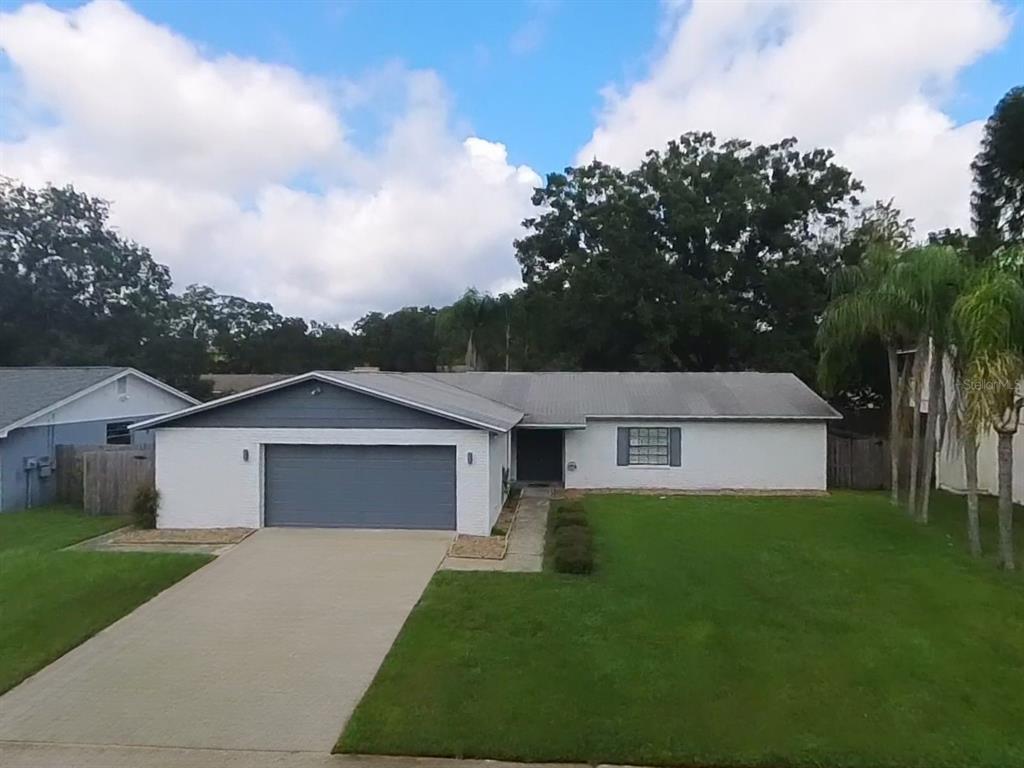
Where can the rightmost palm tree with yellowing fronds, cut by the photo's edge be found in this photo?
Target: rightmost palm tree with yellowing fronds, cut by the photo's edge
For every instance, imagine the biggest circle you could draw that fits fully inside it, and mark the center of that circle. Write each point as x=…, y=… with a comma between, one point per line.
x=990, y=319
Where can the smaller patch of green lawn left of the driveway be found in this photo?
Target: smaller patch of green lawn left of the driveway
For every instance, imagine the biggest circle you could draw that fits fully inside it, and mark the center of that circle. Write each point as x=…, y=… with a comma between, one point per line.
x=52, y=602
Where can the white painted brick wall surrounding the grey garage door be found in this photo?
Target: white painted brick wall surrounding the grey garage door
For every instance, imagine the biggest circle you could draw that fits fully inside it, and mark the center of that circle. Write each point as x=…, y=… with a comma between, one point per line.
x=204, y=482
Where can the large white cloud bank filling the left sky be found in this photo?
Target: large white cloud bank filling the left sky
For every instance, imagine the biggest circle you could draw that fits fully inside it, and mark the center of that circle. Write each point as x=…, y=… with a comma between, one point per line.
x=240, y=175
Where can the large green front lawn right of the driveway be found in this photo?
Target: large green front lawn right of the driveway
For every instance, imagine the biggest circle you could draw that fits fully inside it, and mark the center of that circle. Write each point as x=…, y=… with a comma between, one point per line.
x=721, y=631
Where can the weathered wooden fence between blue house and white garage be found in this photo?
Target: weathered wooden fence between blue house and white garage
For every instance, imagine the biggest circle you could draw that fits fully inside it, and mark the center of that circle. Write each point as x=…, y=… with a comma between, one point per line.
x=103, y=480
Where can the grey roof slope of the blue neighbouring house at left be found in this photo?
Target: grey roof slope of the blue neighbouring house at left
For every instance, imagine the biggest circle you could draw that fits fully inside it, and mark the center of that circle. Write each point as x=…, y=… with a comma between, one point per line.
x=25, y=392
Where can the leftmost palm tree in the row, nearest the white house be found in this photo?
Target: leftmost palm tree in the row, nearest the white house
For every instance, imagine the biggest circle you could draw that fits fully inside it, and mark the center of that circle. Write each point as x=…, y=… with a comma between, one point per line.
x=867, y=306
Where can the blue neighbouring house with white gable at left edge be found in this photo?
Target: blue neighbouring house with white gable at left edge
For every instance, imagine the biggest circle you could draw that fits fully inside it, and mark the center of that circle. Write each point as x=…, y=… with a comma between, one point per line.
x=44, y=408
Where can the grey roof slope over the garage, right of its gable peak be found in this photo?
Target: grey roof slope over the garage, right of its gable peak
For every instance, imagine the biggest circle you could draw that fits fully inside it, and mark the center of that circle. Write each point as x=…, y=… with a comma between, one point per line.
x=434, y=395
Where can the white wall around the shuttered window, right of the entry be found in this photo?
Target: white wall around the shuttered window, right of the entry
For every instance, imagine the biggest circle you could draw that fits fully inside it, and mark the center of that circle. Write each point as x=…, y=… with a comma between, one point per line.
x=716, y=455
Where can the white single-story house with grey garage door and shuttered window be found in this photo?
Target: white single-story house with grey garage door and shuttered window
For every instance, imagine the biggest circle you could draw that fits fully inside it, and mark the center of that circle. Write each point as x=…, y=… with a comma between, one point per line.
x=439, y=451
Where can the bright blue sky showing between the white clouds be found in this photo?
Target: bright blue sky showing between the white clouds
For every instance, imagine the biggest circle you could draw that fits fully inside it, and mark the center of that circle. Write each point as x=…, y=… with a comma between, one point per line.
x=530, y=72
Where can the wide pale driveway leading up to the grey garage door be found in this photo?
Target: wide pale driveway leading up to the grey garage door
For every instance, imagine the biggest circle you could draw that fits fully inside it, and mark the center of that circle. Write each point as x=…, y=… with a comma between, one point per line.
x=269, y=648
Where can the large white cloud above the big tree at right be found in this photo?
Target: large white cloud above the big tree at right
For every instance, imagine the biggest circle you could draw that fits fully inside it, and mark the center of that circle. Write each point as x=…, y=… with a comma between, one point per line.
x=866, y=79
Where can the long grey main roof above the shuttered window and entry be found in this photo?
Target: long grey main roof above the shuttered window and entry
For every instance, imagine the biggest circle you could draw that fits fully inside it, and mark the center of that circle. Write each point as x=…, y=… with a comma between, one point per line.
x=571, y=398
